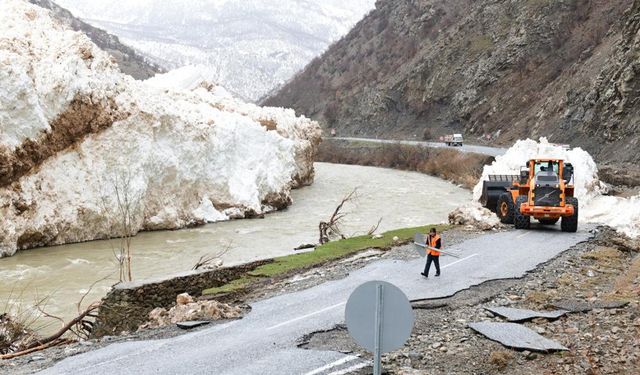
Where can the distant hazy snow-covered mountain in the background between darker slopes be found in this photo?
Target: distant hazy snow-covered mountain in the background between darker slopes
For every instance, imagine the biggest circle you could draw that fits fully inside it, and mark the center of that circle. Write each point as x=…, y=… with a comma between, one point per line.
x=251, y=46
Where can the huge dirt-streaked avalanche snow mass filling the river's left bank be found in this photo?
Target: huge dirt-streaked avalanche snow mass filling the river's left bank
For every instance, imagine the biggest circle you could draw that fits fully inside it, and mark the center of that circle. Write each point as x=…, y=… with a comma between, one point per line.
x=77, y=138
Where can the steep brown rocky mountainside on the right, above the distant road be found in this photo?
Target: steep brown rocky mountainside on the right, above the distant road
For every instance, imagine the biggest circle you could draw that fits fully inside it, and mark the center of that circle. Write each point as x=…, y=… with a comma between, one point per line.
x=496, y=71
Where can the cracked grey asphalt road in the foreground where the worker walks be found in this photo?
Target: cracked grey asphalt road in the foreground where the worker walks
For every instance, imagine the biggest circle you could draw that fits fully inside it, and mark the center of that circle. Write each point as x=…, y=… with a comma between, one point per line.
x=264, y=342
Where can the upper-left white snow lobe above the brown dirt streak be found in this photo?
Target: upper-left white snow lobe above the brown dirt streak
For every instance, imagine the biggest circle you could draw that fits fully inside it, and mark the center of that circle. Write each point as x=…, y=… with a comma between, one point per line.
x=39, y=80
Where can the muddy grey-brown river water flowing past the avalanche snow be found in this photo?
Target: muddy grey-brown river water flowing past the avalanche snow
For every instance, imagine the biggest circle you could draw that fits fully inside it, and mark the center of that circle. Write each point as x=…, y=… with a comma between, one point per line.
x=63, y=273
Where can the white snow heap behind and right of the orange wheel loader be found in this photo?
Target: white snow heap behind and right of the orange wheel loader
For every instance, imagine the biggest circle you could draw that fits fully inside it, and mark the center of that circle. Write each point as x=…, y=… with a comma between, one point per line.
x=623, y=214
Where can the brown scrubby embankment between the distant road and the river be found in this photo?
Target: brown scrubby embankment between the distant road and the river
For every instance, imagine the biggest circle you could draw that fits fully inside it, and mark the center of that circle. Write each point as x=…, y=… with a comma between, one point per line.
x=459, y=167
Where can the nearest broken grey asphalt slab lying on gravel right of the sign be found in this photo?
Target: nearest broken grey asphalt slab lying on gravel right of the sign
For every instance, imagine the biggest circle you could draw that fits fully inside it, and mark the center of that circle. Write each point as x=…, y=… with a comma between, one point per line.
x=516, y=336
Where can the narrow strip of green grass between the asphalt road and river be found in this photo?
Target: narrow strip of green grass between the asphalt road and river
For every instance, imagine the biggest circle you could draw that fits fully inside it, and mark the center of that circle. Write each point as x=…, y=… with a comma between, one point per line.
x=322, y=254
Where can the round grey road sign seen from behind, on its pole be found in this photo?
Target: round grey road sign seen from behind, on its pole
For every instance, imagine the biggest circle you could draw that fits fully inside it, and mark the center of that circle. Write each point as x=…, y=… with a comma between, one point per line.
x=379, y=318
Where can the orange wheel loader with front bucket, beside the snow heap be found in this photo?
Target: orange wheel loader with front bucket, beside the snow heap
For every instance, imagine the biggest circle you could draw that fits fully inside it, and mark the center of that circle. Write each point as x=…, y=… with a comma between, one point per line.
x=543, y=190
